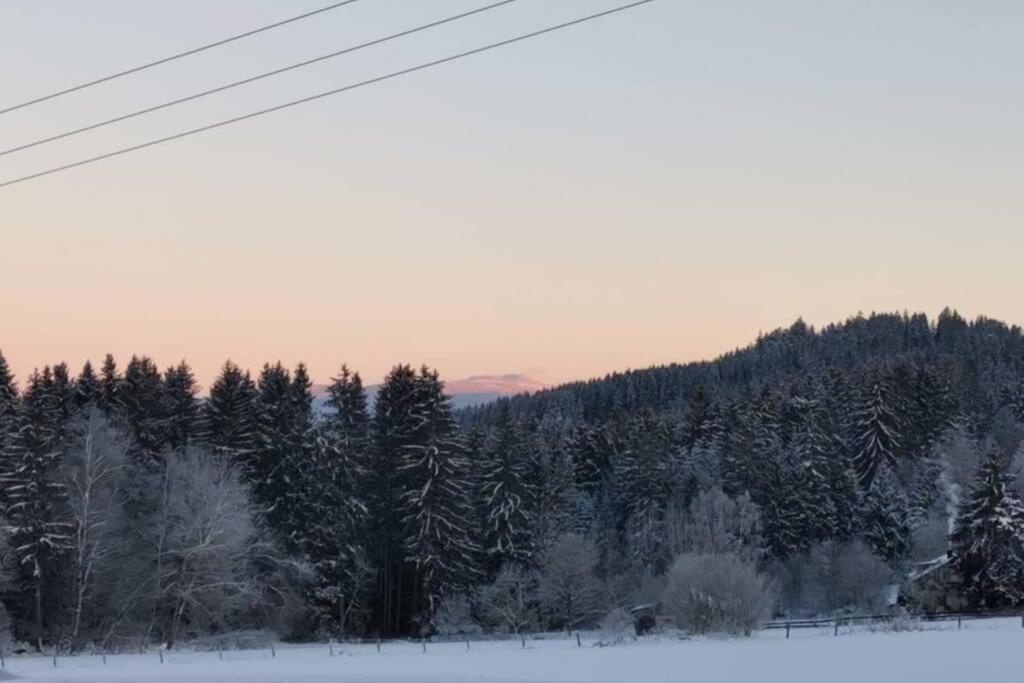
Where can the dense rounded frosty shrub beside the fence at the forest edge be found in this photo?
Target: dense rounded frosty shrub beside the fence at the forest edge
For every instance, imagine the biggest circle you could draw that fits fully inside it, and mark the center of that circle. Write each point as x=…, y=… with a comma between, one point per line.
x=717, y=593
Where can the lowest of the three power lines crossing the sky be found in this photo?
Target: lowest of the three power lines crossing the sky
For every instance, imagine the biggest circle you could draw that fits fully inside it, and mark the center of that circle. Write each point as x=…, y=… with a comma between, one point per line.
x=328, y=94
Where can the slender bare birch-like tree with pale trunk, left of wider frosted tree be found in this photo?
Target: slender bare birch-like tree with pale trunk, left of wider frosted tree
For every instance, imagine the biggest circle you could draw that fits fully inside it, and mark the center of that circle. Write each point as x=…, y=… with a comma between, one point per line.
x=94, y=471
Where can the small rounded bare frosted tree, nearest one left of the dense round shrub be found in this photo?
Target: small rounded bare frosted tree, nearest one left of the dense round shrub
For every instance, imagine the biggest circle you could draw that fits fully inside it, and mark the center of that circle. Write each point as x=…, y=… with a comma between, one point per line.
x=570, y=592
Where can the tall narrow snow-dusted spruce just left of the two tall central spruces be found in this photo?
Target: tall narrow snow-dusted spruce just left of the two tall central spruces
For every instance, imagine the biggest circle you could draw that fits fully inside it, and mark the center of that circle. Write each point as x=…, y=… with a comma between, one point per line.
x=336, y=537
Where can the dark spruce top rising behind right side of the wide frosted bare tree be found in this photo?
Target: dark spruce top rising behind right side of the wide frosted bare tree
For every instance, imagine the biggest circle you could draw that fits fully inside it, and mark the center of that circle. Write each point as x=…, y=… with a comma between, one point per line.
x=228, y=418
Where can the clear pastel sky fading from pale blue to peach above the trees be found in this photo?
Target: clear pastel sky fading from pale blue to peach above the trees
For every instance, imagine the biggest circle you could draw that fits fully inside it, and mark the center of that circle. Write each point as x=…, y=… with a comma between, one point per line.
x=657, y=187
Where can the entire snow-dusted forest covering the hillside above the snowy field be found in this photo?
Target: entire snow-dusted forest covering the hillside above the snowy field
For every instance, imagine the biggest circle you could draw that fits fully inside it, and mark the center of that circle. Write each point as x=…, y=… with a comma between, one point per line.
x=804, y=475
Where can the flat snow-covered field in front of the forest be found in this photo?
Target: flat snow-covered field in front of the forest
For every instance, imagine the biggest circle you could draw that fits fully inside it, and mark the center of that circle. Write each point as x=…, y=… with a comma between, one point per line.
x=984, y=653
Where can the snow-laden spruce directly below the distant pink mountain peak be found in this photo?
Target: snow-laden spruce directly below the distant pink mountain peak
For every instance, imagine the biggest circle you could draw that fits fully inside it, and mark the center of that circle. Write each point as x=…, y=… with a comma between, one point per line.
x=506, y=495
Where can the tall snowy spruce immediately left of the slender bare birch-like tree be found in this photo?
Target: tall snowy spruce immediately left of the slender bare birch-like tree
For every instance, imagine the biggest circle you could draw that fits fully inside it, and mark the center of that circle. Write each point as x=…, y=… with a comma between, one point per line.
x=34, y=504
